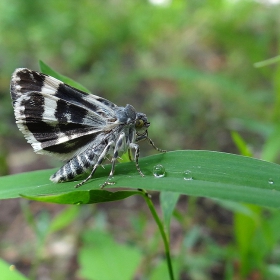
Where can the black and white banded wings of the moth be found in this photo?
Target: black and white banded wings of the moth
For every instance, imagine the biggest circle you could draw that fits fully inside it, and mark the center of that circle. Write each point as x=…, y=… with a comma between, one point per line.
x=55, y=118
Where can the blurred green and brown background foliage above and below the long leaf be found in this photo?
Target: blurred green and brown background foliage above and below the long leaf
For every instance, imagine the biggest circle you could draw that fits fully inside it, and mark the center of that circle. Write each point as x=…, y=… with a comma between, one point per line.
x=189, y=65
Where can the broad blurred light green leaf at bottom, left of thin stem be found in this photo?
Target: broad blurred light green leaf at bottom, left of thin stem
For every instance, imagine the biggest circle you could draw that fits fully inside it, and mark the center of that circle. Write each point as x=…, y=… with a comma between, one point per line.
x=102, y=258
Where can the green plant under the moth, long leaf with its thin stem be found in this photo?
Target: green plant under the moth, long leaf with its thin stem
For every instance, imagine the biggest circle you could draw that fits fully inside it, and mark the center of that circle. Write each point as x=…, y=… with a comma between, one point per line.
x=196, y=173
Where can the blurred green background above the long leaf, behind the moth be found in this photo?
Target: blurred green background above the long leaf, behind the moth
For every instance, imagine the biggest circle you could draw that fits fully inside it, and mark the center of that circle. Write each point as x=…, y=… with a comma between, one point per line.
x=189, y=65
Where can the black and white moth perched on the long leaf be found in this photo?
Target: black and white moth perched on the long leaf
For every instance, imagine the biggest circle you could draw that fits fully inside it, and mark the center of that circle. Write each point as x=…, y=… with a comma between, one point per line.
x=80, y=128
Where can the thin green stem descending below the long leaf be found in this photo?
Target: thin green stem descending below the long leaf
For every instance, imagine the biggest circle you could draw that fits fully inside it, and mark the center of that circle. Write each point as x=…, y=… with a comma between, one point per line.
x=162, y=232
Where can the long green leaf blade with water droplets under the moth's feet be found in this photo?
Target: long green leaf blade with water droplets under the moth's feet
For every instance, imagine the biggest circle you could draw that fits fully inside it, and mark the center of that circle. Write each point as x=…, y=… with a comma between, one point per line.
x=210, y=174
